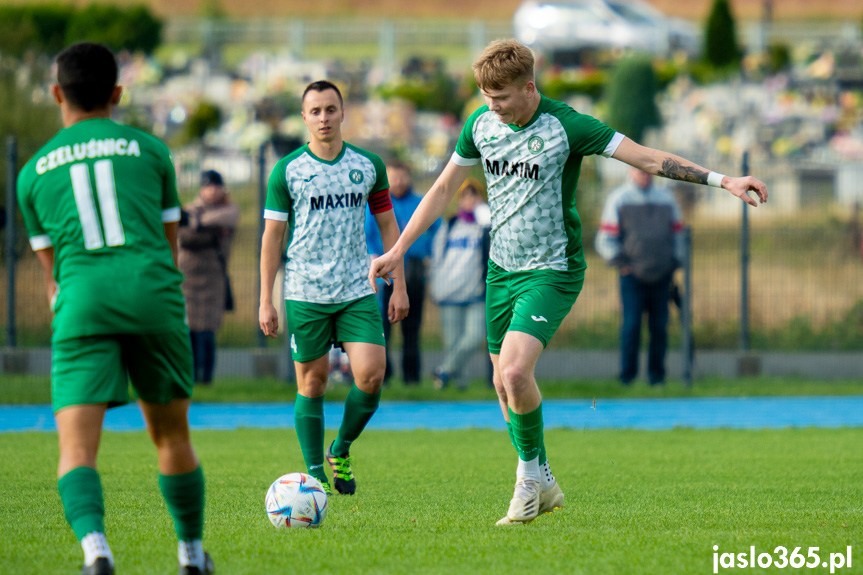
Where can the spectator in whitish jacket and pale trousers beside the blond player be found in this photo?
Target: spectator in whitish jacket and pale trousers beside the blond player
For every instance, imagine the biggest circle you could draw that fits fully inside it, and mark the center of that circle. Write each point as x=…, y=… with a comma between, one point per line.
x=460, y=262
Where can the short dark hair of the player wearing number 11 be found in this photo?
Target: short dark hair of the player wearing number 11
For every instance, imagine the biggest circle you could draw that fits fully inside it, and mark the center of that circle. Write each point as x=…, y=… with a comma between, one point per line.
x=87, y=75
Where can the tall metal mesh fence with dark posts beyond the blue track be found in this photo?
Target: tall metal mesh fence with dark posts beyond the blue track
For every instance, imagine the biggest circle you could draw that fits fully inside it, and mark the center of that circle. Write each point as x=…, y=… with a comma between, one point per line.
x=805, y=272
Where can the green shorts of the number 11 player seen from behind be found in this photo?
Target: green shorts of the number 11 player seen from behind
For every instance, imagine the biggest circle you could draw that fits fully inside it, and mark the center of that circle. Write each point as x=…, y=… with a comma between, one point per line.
x=98, y=369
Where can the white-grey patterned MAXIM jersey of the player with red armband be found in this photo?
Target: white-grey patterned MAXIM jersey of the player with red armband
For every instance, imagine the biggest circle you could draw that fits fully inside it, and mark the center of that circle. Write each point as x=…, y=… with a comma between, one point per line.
x=324, y=204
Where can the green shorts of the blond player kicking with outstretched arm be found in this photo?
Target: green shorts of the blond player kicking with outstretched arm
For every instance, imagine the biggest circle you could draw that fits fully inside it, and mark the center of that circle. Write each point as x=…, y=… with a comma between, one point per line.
x=533, y=302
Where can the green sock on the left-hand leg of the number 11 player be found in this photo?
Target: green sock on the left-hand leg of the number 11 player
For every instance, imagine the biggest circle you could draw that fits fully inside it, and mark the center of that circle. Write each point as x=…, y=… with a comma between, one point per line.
x=81, y=494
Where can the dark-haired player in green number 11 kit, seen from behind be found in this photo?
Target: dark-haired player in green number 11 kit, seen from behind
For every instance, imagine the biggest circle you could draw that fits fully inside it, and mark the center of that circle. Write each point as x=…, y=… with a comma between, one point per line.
x=100, y=204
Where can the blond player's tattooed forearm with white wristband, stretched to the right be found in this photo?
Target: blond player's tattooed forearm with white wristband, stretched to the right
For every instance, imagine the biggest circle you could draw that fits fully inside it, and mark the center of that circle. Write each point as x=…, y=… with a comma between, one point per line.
x=668, y=165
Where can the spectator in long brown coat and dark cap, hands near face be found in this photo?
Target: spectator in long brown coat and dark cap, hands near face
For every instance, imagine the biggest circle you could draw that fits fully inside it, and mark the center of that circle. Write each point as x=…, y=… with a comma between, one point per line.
x=205, y=235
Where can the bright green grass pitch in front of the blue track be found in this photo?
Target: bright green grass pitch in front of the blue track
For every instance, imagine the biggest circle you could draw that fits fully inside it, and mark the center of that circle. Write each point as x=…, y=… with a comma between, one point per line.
x=637, y=502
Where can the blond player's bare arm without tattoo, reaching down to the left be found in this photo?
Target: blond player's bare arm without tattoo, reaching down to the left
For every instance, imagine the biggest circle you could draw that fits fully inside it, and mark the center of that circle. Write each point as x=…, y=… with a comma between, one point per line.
x=430, y=209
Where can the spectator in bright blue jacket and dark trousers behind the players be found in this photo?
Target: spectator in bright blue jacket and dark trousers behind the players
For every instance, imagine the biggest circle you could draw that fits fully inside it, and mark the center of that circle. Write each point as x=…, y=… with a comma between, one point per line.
x=405, y=202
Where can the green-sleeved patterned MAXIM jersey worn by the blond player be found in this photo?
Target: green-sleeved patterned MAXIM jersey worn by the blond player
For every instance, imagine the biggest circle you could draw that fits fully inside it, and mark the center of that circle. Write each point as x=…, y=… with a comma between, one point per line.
x=532, y=174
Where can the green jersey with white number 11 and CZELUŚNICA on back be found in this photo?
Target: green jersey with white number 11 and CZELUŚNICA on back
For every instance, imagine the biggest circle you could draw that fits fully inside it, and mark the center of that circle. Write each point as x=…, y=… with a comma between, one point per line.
x=99, y=192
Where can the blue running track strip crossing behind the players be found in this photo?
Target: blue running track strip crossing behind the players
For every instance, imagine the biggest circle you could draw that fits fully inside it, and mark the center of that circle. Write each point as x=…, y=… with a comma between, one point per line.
x=652, y=414
